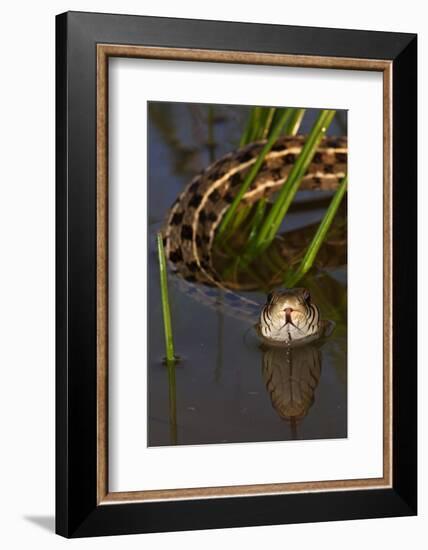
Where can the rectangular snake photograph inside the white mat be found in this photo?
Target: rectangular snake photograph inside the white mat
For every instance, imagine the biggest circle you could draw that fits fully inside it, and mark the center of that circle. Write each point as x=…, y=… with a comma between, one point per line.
x=247, y=273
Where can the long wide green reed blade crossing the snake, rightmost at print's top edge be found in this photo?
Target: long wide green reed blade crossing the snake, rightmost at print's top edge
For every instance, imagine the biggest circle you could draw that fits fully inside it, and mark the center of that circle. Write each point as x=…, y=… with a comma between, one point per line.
x=275, y=216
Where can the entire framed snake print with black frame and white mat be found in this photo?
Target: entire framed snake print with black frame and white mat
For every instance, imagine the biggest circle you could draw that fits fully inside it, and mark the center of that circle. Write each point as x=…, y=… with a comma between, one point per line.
x=236, y=274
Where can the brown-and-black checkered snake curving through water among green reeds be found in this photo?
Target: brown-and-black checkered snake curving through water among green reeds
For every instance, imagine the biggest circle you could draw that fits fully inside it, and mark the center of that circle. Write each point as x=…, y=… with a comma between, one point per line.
x=192, y=221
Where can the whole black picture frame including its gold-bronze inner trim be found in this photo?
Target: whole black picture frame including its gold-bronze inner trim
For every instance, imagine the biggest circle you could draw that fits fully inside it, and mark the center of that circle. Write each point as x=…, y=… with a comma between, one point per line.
x=84, y=44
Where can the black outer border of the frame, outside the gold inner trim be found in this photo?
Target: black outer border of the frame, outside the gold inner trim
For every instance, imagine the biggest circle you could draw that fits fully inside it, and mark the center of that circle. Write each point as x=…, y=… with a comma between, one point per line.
x=77, y=512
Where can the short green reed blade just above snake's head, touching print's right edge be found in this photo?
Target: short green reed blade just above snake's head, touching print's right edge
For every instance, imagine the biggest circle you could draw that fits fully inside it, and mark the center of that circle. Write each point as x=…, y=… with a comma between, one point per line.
x=293, y=277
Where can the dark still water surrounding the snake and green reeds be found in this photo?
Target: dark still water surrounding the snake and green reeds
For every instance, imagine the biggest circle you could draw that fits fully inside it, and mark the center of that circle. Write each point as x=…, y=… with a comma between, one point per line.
x=217, y=392
